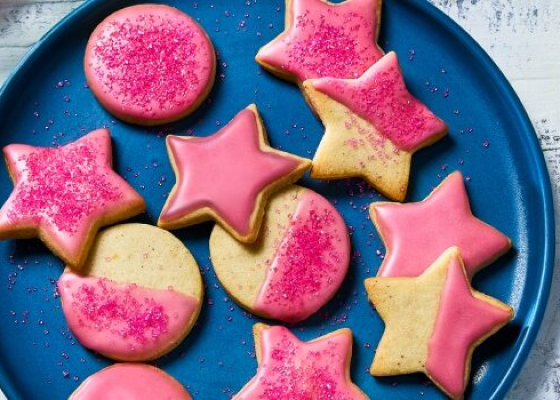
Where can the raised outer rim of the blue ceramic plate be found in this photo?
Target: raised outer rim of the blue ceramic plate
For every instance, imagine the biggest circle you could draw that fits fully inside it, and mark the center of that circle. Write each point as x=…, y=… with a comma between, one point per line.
x=536, y=313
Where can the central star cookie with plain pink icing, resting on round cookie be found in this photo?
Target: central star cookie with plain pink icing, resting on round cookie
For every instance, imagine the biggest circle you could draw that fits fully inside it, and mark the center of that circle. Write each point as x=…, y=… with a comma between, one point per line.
x=227, y=177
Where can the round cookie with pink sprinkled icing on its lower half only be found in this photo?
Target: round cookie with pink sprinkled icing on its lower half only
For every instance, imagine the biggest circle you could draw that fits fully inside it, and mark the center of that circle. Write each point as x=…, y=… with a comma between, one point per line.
x=138, y=295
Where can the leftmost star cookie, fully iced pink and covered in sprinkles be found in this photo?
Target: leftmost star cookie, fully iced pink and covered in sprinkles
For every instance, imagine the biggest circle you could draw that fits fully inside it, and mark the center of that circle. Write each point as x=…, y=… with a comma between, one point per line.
x=64, y=195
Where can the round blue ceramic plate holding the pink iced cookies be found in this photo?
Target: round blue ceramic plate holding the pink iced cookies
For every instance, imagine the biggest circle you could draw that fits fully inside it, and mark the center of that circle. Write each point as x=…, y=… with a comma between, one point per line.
x=491, y=141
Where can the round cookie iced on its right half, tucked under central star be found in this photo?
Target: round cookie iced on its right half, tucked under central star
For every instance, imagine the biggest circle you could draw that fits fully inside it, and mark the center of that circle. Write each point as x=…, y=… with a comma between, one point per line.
x=296, y=264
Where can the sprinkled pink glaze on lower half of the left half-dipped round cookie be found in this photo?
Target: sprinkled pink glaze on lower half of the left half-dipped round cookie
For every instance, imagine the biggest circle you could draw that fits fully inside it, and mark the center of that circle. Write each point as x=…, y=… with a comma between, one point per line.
x=123, y=320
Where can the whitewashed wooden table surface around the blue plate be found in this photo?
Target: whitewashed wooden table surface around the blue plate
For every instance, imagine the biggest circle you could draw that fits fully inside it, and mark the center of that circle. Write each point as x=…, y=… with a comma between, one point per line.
x=522, y=36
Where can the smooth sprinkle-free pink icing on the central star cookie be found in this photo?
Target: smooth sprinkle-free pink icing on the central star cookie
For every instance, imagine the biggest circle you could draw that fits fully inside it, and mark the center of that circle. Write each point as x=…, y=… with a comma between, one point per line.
x=225, y=172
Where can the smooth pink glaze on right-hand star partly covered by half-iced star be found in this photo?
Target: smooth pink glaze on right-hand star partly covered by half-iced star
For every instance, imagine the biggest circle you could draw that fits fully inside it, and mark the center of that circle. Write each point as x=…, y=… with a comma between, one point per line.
x=415, y=234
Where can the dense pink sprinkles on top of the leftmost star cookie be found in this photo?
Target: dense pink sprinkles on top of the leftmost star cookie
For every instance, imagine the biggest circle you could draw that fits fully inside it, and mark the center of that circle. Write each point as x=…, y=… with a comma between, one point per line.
x=62, y=186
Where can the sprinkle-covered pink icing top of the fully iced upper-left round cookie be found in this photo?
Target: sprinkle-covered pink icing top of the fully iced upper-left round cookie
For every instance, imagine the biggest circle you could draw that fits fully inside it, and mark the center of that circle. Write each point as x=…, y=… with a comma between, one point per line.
x=152, y=61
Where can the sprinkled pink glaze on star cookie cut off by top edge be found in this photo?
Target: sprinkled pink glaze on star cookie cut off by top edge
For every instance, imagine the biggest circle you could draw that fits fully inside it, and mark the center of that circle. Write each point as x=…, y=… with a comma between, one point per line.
x=336, y=40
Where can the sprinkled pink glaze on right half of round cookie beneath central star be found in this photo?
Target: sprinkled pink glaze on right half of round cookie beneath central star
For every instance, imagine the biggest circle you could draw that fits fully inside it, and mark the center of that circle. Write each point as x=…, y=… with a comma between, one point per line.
x=310, y=263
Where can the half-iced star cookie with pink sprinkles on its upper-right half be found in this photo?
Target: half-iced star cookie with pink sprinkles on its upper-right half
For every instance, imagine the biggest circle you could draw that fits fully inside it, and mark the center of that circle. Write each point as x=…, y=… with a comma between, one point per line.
x=373, y=126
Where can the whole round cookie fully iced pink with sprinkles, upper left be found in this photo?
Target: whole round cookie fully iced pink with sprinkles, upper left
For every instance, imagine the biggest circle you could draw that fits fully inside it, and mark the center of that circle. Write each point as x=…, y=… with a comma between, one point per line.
x=150, y=64
